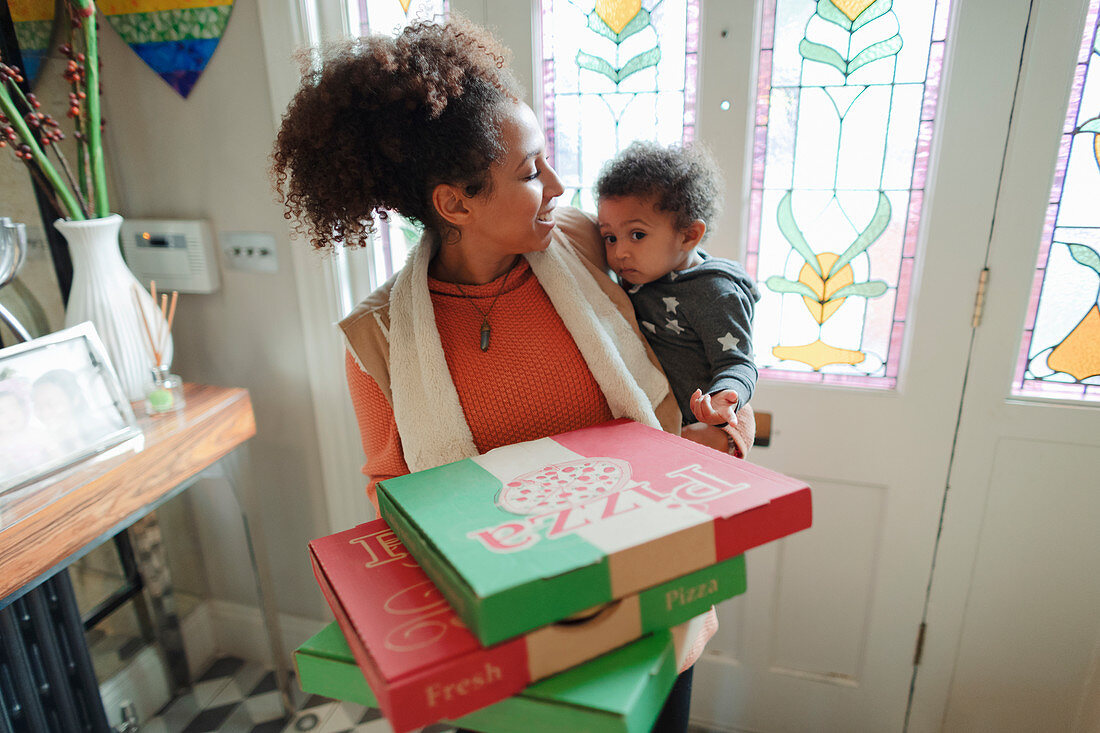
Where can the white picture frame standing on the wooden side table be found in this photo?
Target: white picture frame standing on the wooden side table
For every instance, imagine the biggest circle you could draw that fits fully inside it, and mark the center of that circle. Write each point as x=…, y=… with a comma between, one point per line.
x=61, y=403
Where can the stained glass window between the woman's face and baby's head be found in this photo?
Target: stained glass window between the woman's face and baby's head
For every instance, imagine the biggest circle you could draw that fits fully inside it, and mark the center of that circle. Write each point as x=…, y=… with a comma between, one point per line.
x=615, y=72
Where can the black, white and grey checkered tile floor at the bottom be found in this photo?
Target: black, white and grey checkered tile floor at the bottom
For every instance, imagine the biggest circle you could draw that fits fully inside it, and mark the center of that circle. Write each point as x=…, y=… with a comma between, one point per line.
x=235, y=696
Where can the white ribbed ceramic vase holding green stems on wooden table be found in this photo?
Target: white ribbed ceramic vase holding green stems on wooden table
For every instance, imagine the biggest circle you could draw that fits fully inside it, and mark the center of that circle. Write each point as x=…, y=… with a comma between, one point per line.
x=104, y=293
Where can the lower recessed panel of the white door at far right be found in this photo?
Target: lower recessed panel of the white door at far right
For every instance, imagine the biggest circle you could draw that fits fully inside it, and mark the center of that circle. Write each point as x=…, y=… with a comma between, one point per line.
x=1030, y=638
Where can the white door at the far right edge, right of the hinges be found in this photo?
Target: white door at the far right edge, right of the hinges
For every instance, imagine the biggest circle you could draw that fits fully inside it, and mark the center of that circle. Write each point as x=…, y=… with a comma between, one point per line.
x=1015, y=614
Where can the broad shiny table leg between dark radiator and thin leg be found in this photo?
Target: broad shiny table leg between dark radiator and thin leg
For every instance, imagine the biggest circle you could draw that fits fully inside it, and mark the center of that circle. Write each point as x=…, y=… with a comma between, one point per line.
x=149, y=555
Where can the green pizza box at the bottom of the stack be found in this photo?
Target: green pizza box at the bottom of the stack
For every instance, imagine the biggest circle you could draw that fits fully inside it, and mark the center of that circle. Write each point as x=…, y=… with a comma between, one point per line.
x=619, y=693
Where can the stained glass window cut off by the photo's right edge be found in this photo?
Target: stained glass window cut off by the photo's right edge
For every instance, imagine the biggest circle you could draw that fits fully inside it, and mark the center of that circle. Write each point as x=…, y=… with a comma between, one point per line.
x=1060, y=355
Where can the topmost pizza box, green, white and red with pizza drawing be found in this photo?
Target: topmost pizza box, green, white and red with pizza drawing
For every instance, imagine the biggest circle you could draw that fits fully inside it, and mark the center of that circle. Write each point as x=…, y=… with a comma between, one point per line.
x=530, y=534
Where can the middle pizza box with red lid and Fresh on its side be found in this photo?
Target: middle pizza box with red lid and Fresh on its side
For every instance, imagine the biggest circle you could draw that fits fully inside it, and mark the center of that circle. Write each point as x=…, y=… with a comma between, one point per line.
x=425, y=665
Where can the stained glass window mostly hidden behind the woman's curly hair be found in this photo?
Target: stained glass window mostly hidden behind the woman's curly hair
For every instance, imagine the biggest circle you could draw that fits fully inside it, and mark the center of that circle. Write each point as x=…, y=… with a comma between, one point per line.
x=394, y=234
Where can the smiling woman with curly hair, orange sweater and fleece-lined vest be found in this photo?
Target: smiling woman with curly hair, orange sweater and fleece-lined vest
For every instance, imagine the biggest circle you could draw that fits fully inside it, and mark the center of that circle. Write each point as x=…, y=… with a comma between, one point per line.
x=503, y=326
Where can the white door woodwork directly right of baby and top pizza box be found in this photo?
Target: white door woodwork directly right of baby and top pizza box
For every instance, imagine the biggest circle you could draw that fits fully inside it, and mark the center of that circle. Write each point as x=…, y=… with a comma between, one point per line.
x=824, y=640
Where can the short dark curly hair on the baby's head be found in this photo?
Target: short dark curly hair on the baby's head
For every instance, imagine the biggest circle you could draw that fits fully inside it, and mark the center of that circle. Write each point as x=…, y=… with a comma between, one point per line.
x=684, y=181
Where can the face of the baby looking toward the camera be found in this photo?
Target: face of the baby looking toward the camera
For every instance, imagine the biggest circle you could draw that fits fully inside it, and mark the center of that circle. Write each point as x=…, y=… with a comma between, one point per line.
x=643, y=244
